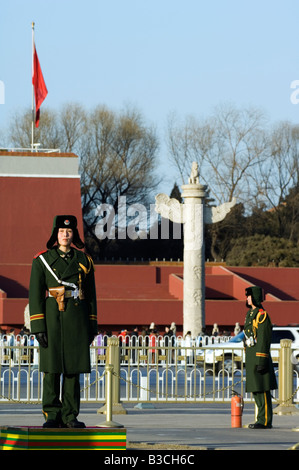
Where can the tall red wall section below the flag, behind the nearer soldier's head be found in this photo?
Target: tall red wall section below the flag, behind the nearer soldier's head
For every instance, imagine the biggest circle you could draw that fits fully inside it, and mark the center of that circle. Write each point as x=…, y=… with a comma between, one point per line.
x=27, y=209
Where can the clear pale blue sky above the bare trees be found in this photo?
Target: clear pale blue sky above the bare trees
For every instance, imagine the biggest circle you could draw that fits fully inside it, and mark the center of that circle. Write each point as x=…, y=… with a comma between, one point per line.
x=186, y=56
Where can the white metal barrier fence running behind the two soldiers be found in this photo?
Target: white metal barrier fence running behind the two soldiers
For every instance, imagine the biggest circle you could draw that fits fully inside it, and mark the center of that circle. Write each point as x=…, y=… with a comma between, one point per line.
x=203, y=370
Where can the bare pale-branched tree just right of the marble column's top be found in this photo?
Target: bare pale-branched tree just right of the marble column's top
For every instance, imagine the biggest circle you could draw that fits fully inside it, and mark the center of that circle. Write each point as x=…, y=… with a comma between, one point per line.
x=240, y=144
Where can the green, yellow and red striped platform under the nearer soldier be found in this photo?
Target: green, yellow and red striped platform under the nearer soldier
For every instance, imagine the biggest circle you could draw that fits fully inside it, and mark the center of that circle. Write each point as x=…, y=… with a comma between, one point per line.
x=38, y=438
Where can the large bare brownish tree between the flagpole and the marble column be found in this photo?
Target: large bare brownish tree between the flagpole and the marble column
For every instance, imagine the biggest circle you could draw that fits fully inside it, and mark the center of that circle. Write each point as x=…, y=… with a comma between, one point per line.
x=119, y=160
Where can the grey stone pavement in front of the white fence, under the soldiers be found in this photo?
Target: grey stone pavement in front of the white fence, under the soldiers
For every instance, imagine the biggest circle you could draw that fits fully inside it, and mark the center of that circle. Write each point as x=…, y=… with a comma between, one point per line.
x=176, y=426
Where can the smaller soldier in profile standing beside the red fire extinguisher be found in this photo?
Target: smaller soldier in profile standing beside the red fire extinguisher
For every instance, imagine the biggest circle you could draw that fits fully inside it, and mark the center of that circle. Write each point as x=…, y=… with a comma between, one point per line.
x=260, y=377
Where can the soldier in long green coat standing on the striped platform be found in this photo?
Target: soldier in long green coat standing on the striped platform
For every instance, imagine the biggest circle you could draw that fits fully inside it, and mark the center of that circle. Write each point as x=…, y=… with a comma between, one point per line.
x=63, y=316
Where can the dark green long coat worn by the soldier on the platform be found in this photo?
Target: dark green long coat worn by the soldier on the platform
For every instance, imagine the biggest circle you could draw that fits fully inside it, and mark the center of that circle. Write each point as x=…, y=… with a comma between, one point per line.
x=69, y=332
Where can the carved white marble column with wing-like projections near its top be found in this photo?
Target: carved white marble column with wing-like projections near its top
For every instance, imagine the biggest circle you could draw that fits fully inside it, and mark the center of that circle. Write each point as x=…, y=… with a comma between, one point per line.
x=194, y=215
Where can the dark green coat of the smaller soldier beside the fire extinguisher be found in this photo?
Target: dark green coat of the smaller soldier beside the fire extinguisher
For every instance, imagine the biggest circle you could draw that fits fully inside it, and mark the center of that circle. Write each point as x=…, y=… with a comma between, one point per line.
x=258, y=326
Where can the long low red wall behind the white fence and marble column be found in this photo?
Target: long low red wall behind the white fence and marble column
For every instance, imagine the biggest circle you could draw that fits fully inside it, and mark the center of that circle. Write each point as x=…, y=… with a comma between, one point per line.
x=137, y=295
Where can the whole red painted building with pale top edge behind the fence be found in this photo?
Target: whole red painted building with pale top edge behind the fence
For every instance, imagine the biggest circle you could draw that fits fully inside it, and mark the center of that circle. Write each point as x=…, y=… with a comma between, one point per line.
x=35, y=187
